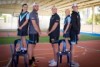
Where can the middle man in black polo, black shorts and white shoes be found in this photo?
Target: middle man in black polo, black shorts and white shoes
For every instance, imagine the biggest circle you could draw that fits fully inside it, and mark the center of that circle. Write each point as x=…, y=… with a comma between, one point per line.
x=54, y=33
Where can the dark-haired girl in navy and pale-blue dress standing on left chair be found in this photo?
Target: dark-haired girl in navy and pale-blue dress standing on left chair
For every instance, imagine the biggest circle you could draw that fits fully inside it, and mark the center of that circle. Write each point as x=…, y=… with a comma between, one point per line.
x=23, y=26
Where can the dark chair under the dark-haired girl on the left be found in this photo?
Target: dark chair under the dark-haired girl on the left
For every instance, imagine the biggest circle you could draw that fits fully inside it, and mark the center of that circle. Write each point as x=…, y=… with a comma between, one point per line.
x=15, y=54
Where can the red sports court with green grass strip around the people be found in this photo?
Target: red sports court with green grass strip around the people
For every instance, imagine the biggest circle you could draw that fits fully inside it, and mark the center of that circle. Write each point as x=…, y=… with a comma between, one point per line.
x=86, y=53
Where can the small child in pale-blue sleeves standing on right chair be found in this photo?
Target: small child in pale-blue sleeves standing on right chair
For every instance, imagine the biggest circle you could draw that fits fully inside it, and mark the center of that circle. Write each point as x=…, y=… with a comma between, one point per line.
x=66, y=30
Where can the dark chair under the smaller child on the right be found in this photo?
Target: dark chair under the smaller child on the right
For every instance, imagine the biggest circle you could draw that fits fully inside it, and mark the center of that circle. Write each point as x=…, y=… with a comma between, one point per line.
x=61, y=53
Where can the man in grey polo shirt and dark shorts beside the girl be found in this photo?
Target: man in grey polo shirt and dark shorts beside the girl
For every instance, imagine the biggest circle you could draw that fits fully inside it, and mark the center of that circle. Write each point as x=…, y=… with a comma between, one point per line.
x=34, y=32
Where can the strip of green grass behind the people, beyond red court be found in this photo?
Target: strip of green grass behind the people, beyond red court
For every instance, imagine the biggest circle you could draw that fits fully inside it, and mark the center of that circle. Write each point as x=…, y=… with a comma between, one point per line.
x=9, y=40
